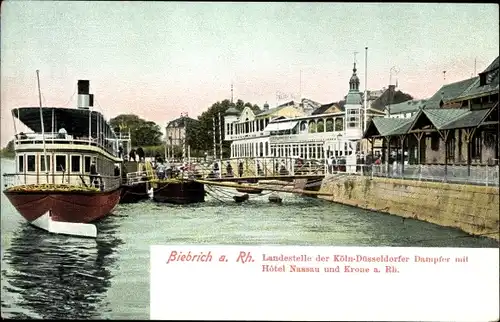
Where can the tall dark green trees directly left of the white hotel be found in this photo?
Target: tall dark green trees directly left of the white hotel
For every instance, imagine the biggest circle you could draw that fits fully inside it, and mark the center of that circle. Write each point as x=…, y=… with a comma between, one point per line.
x=200, y=135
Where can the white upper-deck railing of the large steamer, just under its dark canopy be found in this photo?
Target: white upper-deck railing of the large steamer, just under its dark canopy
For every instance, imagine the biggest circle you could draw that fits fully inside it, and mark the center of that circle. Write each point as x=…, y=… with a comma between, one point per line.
x=57, y=138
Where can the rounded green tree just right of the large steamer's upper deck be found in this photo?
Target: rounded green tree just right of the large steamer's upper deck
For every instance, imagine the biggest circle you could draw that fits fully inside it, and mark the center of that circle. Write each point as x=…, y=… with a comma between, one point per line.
x=142, y=132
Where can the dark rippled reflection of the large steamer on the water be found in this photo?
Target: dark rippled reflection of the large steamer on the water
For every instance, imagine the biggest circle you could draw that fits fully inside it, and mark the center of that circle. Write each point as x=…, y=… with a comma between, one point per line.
x=59, y=277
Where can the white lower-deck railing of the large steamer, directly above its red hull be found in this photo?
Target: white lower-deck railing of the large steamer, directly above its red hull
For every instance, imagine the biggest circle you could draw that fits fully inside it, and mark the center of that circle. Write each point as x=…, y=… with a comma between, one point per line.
x=109, y=183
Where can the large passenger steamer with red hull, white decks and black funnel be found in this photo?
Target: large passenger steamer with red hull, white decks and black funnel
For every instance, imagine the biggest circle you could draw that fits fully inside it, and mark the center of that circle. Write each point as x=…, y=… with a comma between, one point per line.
x=65, y=169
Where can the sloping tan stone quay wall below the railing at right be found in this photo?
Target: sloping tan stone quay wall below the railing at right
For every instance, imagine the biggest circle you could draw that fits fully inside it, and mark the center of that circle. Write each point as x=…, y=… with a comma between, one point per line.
x=472, y=209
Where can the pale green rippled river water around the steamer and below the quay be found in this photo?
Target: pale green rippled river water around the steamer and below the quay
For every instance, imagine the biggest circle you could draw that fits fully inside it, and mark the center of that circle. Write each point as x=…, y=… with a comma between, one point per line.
x=51, y=276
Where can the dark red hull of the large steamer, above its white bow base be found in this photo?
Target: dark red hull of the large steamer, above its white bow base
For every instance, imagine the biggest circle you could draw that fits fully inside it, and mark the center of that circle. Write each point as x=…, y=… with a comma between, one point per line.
x=71, y=207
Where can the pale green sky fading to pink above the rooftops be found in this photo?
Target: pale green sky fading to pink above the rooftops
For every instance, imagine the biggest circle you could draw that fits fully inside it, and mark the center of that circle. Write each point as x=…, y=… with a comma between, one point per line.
x=159, y=59
